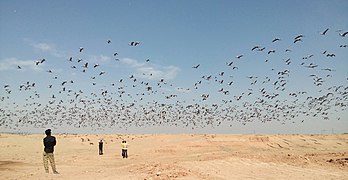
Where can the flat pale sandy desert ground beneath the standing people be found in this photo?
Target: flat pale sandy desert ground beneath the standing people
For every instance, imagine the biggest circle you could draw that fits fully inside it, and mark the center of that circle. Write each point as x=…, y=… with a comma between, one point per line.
x=182, y=156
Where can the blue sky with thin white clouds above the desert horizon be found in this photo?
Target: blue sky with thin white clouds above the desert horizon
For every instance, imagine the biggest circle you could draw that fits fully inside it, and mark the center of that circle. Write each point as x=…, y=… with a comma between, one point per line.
x=197, y=66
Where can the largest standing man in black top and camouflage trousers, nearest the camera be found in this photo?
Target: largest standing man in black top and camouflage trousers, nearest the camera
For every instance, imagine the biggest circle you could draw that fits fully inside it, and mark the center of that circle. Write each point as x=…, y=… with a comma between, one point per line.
x=49, y=143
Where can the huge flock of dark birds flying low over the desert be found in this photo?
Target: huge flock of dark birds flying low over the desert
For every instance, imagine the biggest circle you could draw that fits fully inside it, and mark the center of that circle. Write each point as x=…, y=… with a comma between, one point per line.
x=212, y=100
